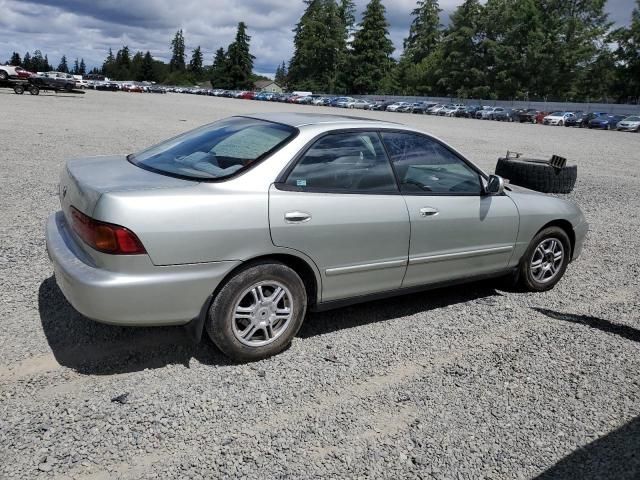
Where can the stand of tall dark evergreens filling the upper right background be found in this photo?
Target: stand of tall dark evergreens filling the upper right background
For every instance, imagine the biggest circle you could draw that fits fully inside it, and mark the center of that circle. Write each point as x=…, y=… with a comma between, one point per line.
x=509, y=49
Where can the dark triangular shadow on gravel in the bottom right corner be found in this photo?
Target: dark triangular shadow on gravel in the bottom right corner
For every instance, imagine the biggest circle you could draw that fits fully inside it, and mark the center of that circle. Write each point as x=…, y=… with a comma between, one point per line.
x=614, y=456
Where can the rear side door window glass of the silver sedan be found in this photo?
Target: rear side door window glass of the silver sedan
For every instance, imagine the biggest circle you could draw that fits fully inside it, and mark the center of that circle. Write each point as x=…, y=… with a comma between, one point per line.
x=344, y=162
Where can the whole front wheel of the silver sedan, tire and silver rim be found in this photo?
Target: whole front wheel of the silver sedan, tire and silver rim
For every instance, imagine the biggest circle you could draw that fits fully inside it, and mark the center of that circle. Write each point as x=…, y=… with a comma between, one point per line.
x=546, y=260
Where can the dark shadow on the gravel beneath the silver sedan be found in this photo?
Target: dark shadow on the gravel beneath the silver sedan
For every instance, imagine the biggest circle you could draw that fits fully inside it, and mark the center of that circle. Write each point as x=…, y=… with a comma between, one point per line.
x=93, y=348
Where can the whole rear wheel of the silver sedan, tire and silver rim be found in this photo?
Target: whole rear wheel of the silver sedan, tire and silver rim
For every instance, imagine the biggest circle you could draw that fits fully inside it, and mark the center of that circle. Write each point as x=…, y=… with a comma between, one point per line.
x=257, y=312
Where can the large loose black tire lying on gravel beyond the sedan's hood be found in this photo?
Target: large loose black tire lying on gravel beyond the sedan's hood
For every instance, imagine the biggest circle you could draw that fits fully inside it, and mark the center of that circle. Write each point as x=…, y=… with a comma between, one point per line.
x=537, y=175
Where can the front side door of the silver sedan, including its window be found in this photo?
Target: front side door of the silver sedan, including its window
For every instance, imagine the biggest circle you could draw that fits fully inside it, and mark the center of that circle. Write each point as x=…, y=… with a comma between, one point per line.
x=456, y=231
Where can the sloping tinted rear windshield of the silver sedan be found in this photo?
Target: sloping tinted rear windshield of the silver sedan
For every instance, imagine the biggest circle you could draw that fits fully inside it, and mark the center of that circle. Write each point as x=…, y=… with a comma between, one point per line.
x=215, y=151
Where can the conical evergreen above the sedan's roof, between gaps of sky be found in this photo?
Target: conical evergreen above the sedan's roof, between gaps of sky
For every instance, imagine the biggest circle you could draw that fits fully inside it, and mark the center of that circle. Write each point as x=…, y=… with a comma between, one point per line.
x=371, y=56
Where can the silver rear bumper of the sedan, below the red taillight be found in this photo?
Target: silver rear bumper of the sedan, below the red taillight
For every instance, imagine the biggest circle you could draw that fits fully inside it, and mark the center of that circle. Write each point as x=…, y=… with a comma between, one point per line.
x=171, y=295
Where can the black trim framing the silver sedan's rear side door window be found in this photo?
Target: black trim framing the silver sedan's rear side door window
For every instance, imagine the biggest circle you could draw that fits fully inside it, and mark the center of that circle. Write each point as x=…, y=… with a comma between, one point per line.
x=281, y=179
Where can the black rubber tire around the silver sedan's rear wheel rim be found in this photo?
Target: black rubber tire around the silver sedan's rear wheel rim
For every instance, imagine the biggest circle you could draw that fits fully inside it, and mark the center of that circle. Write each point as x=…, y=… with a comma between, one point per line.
x=219, y=322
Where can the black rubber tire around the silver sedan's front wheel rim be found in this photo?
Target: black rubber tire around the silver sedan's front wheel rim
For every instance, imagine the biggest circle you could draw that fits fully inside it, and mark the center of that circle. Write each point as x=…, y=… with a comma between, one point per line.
x=526, y=279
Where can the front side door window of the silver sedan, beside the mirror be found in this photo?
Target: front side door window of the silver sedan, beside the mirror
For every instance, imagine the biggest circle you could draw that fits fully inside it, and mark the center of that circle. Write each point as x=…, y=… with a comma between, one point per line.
x=423, y=165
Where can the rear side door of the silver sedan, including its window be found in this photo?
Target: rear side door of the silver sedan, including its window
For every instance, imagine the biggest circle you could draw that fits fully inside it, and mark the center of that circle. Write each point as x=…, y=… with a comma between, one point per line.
x=340, y=205
